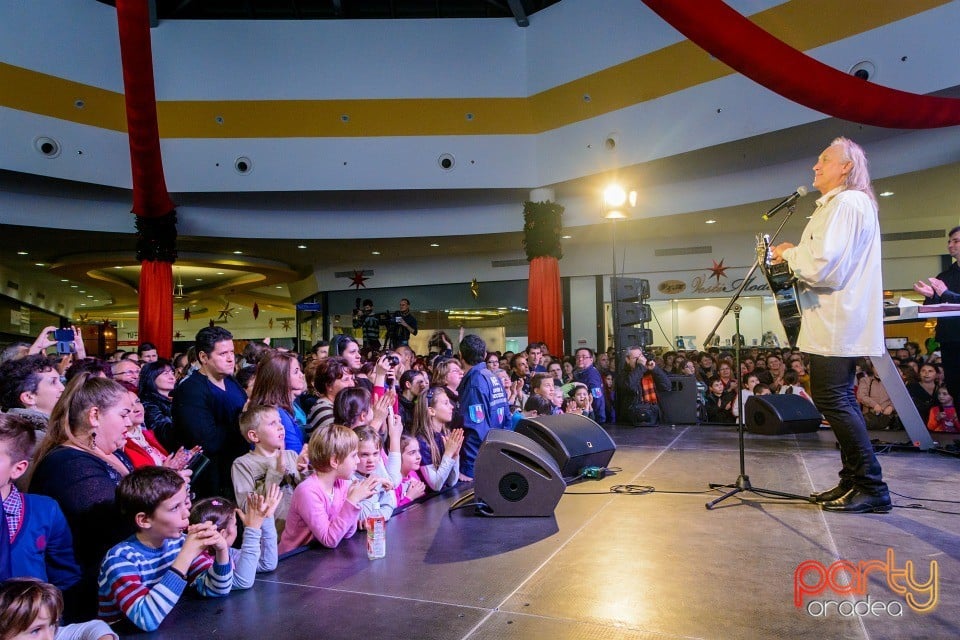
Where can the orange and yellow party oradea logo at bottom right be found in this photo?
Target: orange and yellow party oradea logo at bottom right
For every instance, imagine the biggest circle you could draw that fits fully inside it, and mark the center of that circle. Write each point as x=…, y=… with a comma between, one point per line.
x=843, y=588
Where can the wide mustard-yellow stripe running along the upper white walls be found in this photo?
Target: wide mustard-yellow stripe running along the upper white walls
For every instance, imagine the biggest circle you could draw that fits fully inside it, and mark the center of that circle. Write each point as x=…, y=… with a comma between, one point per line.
x=804, y=24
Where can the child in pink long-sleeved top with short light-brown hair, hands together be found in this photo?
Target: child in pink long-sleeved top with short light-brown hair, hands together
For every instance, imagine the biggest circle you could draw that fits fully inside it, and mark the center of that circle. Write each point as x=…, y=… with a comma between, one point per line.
x=325, y=507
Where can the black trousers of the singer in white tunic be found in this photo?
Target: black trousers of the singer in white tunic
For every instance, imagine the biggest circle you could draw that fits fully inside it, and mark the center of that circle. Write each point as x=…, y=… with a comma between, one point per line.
x=831, y=386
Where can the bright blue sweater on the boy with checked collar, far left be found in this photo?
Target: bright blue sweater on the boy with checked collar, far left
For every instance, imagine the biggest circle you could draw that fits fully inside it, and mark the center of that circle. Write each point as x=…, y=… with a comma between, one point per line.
x=43, y=547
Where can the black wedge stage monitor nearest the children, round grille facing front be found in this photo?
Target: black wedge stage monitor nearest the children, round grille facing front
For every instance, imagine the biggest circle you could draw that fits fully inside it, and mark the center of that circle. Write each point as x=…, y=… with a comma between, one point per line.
x=515, y=476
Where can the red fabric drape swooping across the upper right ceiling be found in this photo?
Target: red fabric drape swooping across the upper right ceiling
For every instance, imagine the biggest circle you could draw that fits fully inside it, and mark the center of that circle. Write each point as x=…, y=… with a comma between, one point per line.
x=733, y=39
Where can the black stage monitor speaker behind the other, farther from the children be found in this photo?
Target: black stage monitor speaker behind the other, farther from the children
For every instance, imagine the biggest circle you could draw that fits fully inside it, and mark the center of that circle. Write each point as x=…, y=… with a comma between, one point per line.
x=573, y=440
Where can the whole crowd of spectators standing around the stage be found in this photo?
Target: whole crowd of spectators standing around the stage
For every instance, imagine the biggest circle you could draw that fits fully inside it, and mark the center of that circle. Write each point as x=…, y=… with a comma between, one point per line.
x=132, y=470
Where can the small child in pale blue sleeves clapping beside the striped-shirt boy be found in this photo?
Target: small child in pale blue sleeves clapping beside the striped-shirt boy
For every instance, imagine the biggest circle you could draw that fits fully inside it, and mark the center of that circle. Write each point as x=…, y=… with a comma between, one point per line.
x=258, y=551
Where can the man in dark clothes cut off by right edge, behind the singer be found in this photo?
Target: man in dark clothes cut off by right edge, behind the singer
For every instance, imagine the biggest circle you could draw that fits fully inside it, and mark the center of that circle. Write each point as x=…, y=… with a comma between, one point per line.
x=945, y=288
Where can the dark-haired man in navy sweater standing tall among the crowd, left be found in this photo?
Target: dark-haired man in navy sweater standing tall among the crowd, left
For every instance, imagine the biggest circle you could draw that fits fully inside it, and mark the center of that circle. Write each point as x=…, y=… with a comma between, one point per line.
x=206, y=412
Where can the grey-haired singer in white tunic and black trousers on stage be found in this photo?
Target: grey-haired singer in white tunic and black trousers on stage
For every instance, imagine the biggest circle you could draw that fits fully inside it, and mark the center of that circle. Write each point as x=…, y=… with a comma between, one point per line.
x=837, y=264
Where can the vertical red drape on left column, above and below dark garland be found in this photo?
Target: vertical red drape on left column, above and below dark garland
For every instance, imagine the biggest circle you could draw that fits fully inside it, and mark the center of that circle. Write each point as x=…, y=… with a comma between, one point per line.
x=150, y=197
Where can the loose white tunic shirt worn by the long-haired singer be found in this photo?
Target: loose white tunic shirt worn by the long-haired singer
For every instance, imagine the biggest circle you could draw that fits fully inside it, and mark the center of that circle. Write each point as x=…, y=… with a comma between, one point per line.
x=841, y=287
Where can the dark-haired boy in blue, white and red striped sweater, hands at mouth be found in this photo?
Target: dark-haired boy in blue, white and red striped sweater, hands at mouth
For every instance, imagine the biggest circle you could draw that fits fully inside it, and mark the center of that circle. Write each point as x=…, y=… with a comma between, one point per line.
x=143, y=577
